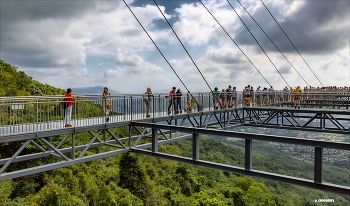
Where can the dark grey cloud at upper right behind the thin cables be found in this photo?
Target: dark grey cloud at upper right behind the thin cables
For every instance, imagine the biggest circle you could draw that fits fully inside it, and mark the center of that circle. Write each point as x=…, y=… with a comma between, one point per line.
x=312, y=28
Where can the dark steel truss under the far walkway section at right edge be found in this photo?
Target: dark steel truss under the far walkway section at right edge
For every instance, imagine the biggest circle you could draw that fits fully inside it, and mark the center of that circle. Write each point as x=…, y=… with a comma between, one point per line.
x=304, y=120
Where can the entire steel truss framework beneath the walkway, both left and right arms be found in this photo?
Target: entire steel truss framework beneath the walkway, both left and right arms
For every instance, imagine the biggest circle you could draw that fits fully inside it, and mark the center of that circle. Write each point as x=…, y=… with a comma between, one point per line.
x=153, y=132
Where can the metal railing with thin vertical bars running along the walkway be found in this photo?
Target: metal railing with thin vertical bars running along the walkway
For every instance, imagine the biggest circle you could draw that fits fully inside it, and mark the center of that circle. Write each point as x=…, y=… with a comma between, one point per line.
x=37, y=113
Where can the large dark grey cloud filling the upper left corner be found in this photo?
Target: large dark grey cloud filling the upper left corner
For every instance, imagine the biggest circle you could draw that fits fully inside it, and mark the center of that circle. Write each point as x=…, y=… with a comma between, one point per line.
x=32, y=32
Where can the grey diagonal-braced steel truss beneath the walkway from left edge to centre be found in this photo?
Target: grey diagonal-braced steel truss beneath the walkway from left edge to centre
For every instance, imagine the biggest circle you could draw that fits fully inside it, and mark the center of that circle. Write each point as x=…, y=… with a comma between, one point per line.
x=101, y=135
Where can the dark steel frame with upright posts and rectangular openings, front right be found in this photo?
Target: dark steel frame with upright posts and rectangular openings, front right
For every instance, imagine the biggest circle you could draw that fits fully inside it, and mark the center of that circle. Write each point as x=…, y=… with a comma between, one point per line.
x=316, y=183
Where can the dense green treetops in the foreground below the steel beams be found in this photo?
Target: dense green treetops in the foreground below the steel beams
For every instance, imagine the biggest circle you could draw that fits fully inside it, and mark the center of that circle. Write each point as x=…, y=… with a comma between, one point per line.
x=132, y=179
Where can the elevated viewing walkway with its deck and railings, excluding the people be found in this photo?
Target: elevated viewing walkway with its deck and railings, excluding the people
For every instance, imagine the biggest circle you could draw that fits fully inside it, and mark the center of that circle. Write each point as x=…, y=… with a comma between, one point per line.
x=44, y=113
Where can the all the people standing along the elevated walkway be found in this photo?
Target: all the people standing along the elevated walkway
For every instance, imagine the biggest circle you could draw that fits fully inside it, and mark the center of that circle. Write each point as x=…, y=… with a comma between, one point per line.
x=226, y=98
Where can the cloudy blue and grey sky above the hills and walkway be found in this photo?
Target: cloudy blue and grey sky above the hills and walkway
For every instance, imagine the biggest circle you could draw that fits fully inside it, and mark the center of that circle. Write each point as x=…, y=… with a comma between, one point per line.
x=86, y=43
